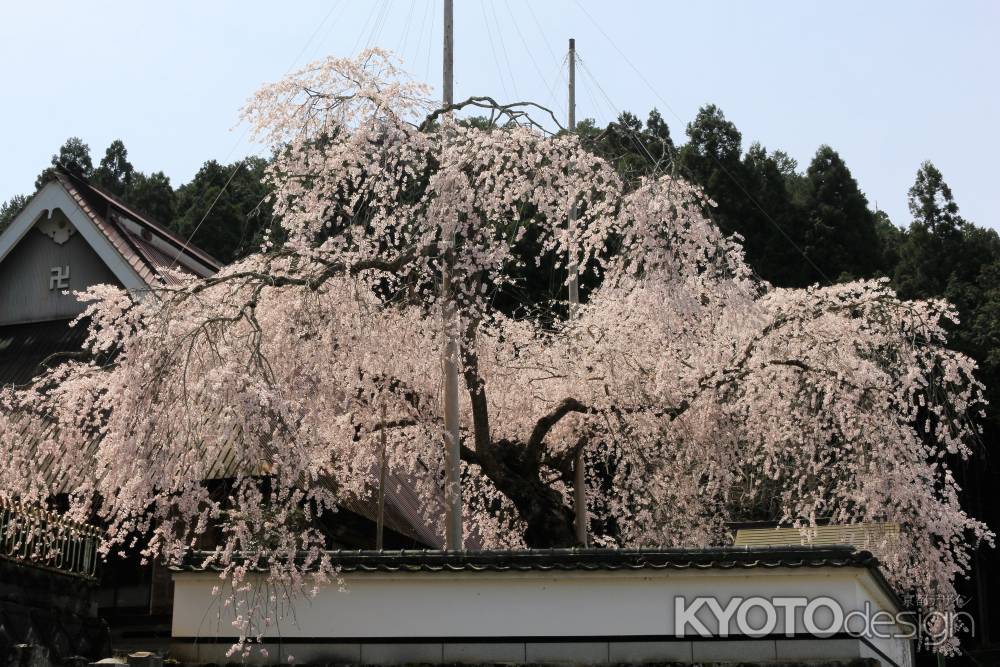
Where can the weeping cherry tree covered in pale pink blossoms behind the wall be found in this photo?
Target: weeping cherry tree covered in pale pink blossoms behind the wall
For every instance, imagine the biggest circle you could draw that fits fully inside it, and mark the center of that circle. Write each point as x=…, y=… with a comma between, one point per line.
x=697, y=392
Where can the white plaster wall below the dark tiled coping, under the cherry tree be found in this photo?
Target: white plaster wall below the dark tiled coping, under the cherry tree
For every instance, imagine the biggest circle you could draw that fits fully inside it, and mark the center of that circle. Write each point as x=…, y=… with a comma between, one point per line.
x=524, y=606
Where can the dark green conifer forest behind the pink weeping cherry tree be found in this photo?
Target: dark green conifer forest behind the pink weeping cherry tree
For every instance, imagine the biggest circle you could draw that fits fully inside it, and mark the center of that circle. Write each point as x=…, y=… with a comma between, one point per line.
x=798, y=227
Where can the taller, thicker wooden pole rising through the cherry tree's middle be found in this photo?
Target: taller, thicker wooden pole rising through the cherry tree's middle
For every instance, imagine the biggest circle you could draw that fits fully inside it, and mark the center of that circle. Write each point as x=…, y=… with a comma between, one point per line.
x=452, y=442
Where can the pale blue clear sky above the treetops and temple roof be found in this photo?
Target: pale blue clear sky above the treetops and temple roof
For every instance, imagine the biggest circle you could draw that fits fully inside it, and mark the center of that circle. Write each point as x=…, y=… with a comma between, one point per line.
x=887, y=84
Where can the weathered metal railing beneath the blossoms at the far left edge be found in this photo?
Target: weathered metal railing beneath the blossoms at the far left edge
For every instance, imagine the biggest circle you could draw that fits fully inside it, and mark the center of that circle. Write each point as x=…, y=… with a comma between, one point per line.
x=41, y=539
